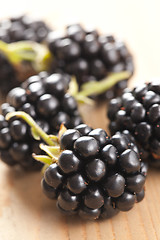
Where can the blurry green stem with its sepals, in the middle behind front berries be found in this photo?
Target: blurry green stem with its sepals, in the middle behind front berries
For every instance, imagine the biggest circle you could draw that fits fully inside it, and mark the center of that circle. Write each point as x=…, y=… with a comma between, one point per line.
x=95, y=87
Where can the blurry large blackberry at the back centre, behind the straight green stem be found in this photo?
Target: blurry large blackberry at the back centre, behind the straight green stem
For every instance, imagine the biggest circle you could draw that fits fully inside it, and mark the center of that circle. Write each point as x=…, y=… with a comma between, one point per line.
x=90, y=56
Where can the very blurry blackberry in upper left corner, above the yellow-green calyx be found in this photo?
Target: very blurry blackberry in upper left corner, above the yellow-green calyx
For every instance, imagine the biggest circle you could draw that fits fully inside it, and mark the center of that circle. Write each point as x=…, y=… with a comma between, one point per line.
x=23, y=28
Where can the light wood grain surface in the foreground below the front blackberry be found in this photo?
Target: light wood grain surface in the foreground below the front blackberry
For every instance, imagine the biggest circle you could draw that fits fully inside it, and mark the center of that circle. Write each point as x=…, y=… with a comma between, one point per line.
x=25, y=213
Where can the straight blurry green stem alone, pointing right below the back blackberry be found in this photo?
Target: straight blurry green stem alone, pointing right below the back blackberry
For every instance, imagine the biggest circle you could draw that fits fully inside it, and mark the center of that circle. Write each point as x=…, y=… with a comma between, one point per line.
x=98, y=87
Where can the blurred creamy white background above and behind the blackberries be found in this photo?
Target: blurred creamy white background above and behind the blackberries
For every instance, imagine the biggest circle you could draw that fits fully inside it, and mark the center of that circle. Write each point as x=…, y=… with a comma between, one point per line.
x=136, y=22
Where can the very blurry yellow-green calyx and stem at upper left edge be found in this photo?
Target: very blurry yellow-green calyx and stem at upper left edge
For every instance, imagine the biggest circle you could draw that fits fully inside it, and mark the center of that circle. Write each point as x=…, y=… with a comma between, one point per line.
x=38, y=55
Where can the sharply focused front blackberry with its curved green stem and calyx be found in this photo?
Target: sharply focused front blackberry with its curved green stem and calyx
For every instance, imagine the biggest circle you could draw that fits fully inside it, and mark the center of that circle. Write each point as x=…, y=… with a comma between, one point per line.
x=89, y=173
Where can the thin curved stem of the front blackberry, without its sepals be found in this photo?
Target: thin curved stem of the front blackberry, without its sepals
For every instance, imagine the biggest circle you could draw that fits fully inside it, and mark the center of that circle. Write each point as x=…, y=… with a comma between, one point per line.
x=26, y=117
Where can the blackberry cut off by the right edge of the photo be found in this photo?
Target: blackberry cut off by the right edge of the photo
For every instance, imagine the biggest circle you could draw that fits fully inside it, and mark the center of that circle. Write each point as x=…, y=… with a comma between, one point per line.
x=139, y=112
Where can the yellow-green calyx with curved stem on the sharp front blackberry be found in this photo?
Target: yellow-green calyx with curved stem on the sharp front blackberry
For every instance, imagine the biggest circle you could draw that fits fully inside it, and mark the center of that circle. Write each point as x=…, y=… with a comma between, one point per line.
x=52, y=149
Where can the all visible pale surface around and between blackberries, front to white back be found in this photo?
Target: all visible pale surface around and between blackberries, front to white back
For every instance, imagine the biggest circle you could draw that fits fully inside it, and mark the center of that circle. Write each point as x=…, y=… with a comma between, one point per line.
x=25, y=213
